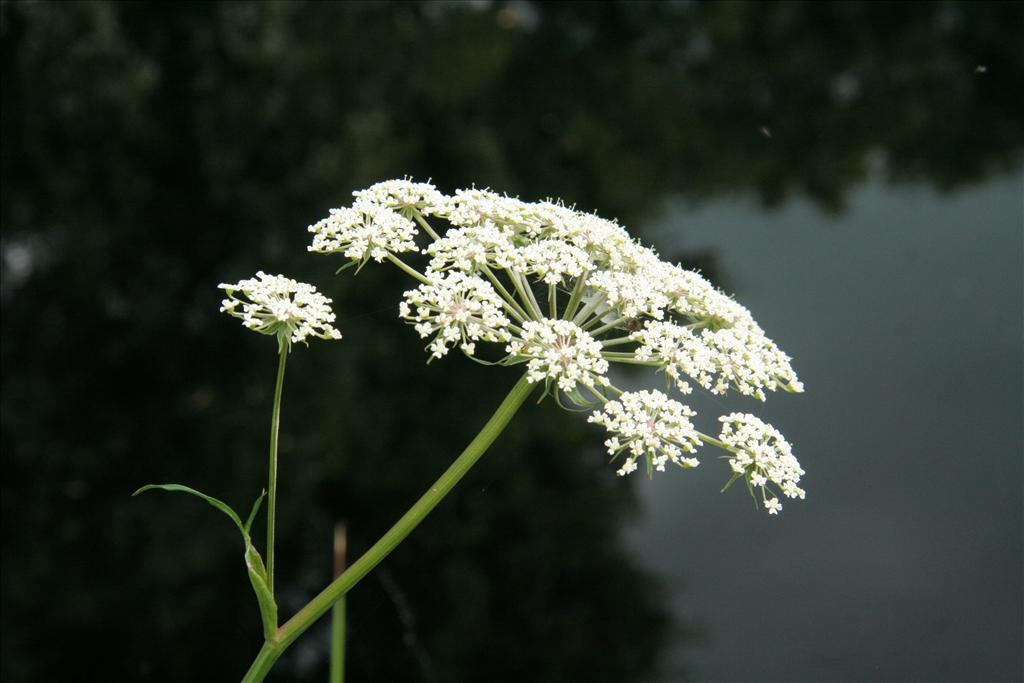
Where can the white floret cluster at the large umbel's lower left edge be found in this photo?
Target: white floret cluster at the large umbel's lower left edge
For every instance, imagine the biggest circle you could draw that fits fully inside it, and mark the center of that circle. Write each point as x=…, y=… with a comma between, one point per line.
x=456, y=310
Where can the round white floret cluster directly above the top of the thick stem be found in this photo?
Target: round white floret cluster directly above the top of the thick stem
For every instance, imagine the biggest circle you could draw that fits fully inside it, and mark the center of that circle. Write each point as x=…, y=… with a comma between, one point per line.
x=560, y=351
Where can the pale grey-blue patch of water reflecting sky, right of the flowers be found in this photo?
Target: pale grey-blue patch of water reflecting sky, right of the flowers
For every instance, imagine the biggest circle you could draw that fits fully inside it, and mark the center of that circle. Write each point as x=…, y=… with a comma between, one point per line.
x=905, y=564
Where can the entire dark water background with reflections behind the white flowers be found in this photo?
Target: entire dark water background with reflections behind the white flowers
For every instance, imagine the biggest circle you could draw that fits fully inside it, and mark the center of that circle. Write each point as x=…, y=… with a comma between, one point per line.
x=851, y=172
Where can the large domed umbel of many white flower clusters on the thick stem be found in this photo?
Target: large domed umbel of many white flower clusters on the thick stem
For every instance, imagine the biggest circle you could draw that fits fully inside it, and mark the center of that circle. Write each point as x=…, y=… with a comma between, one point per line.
x=569, y=293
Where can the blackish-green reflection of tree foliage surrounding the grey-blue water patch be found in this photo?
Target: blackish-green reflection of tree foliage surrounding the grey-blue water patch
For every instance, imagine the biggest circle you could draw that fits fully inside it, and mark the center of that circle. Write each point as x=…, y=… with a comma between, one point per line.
x=150, y=152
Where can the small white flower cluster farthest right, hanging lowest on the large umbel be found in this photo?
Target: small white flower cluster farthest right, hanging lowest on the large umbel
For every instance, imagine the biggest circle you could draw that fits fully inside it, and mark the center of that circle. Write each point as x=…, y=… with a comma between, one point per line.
x=762, y=456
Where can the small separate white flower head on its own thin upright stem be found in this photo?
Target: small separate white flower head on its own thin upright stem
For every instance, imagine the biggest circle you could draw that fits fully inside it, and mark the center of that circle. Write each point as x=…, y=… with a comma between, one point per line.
x=282, y=307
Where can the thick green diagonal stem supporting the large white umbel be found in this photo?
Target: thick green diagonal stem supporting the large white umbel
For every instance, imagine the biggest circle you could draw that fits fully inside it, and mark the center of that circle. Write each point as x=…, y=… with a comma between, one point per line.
x=340, y=586
